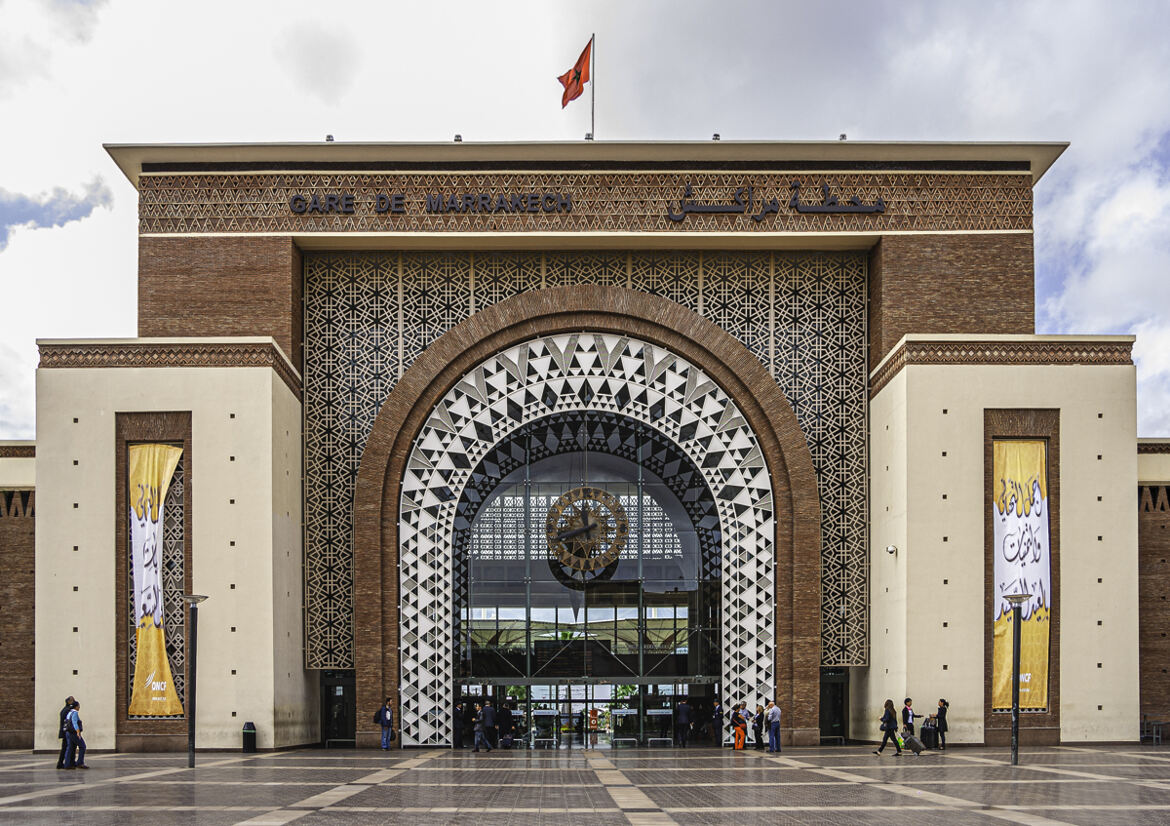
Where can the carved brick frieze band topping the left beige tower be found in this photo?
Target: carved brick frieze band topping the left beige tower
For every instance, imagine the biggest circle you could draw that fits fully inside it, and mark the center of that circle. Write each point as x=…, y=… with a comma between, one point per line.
x=160, y=355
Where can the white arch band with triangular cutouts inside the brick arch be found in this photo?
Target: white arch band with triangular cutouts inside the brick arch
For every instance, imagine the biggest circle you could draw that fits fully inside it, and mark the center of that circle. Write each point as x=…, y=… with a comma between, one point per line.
x=593, y=373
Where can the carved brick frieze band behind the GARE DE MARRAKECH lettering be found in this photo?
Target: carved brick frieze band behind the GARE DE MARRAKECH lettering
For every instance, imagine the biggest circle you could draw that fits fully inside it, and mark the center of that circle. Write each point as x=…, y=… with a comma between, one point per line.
x=601, y=202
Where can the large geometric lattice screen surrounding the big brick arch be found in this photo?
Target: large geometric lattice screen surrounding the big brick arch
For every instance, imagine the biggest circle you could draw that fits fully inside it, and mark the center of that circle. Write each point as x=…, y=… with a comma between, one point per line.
x=369, y=316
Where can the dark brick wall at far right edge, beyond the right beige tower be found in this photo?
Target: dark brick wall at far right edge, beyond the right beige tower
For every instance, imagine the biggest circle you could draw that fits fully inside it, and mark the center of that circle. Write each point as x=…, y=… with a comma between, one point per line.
x=1153, y=603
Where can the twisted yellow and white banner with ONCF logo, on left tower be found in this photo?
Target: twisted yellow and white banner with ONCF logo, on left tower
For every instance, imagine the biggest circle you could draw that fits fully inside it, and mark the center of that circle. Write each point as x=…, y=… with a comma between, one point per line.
x=152, y=467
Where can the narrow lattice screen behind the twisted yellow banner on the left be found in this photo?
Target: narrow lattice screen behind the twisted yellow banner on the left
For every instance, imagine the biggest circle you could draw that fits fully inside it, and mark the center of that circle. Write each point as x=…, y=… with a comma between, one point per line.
x=174, y=615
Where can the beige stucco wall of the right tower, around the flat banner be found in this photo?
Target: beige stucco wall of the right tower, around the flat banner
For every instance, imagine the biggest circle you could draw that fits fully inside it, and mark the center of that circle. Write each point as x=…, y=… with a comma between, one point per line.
x=944, y=579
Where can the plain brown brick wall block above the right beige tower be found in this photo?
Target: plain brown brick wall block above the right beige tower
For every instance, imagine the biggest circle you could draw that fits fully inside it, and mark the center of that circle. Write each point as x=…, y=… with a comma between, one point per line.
x=949, y=284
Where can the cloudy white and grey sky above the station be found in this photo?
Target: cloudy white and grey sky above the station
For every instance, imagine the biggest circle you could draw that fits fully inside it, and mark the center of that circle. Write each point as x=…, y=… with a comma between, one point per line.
x=75, y=75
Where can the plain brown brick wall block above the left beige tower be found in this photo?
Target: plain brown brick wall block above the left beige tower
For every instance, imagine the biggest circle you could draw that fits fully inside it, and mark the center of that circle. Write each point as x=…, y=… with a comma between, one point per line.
x=222, y=287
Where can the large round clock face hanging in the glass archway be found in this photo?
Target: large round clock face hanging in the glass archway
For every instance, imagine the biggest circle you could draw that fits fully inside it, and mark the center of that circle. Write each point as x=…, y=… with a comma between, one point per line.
x=588, y=529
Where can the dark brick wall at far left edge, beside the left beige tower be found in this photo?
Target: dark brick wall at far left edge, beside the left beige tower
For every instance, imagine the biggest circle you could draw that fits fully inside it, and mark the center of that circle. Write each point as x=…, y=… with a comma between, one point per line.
x=17, y=628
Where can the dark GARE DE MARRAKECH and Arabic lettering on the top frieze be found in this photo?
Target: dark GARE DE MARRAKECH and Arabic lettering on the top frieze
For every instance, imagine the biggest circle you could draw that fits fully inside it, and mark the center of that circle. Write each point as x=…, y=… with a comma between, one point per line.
x=747, y=201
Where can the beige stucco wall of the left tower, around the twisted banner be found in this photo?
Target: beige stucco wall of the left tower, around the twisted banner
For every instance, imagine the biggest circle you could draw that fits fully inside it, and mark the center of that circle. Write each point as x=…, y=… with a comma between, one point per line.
x=236, y=412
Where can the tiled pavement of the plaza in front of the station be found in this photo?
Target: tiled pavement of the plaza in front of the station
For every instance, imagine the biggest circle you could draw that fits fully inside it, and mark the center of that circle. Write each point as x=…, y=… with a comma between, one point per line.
x=1090, y=787
